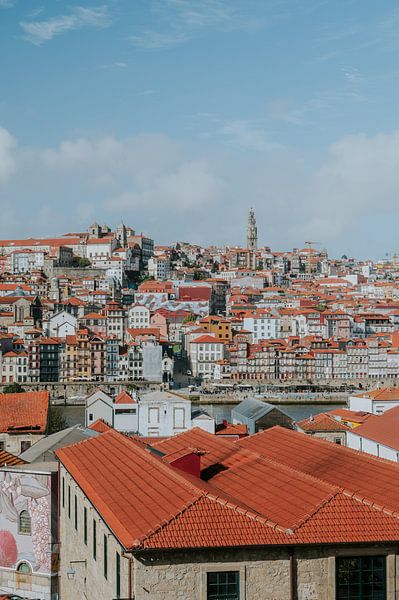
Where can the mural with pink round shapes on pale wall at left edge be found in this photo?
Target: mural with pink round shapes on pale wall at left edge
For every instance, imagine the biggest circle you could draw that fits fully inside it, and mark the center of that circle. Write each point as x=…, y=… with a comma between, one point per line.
x=25, y=520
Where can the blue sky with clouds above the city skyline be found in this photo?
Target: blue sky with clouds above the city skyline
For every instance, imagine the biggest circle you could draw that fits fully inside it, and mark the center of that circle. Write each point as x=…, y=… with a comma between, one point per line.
x=177, y=116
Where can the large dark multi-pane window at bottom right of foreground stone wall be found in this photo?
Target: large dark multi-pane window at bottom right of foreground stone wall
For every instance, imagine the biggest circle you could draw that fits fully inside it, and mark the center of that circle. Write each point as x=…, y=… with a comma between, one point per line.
x=361, y=577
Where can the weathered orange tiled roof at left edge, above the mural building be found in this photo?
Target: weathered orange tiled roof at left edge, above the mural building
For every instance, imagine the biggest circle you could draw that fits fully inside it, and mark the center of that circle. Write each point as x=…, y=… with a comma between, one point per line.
x=24, y=412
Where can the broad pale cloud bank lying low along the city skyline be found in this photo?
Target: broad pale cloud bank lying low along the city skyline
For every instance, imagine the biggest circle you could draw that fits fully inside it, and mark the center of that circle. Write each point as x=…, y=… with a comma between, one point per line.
x=175, y=191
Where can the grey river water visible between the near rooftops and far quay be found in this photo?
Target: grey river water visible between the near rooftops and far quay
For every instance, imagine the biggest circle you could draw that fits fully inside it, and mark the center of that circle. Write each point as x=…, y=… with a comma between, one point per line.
x=75, y=414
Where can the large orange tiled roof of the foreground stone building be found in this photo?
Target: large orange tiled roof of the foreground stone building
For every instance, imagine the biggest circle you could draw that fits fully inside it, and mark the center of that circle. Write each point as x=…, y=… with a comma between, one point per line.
x=310, y=491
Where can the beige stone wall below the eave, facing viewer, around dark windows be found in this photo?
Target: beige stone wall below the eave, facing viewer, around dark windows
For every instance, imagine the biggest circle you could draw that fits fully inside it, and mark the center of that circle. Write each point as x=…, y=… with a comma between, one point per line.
x=264, y=573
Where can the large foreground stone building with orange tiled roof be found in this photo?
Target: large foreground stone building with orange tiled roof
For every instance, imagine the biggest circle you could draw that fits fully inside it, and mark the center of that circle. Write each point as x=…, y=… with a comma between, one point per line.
x=274, y=516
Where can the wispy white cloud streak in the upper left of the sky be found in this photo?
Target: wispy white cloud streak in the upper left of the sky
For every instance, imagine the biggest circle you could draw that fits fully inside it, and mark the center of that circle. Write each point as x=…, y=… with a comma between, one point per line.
x=39, y=32
